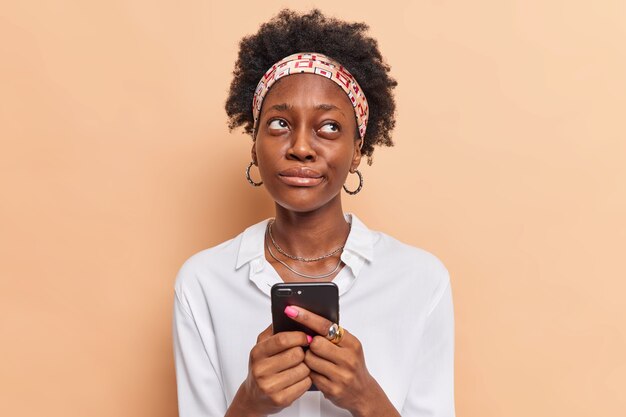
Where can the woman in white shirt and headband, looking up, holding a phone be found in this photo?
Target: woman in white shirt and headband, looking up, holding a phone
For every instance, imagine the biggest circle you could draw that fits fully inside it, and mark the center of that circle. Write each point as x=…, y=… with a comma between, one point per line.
x=315, y=95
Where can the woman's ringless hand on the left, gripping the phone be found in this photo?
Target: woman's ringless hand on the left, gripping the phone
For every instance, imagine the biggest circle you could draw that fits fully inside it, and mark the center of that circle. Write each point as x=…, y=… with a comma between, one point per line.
x=277, y=375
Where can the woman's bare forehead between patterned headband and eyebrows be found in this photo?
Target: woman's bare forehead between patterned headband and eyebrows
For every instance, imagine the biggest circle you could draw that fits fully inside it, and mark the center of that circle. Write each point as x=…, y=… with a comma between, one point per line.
x=307, y=90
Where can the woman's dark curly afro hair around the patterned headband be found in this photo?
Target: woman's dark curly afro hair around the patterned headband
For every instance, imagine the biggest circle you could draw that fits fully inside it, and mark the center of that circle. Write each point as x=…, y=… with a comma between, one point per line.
x=290, y=32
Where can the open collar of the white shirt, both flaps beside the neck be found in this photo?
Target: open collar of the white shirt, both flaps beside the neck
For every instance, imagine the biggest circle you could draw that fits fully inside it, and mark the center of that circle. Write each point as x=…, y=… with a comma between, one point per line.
x=360, y=242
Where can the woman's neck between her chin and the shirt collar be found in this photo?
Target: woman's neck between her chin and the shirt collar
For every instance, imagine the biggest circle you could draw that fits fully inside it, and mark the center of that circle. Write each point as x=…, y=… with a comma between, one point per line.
x=312, y=233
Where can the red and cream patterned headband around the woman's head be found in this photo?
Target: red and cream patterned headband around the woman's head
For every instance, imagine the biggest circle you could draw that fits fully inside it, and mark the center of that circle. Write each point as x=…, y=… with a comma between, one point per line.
x=314, y=63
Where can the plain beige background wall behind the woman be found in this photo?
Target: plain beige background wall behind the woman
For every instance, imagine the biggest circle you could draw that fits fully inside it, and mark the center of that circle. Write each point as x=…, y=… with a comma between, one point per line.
x=116, y=165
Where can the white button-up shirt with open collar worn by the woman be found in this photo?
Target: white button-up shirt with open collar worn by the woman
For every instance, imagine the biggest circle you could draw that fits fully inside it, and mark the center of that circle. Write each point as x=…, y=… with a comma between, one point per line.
x=394, y=298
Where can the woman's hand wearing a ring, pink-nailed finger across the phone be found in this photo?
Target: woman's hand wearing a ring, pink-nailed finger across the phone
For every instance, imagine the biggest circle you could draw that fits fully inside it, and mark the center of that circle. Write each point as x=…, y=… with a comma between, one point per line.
x=339, y=370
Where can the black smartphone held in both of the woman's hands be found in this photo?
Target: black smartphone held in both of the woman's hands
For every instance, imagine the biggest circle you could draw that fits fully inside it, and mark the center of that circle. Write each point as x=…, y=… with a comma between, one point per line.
x=321, y=298
